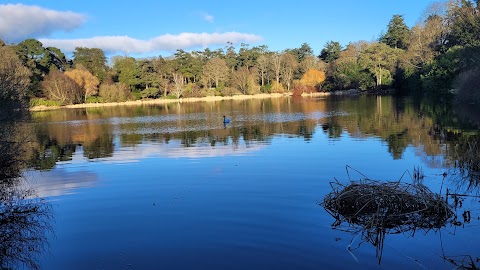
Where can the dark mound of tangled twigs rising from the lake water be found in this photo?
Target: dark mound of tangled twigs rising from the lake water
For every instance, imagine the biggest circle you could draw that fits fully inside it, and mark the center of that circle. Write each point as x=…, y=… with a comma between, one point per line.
x=393, y=206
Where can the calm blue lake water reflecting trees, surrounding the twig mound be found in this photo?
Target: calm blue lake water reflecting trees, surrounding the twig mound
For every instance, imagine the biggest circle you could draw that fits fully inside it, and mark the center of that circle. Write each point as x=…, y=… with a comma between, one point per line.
x=172, y=187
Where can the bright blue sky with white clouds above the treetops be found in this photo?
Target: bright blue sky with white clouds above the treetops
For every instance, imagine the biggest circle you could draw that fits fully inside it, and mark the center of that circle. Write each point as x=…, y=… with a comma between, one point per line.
x=155, y=27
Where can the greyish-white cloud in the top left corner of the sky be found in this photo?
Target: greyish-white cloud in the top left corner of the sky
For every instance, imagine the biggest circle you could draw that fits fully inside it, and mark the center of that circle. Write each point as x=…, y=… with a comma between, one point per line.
x=18, y=21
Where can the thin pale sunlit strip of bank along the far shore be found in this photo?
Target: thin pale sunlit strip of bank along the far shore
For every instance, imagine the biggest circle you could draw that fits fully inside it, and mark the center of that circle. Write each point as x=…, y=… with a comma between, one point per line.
x=180, y=100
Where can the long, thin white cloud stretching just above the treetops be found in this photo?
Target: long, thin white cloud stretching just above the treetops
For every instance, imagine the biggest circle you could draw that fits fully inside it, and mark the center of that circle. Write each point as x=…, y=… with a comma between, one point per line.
x=167, y=42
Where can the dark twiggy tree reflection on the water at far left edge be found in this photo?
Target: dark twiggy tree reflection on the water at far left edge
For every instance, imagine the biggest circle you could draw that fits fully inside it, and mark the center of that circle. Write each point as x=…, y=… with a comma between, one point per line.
x=25, y=219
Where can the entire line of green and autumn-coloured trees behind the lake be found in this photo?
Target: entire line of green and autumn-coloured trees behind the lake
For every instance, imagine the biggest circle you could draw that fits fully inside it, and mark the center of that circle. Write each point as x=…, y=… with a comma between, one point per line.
x=438, y=54
